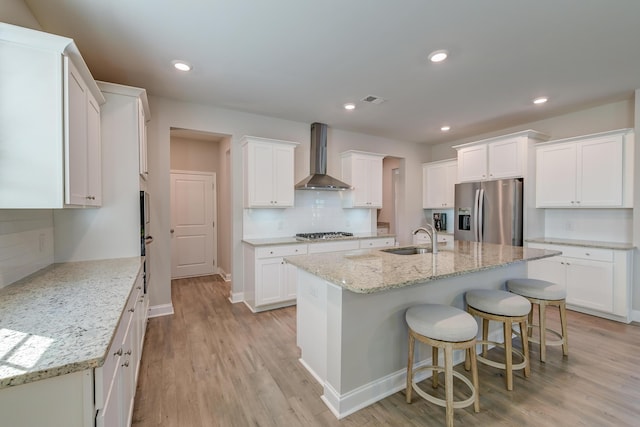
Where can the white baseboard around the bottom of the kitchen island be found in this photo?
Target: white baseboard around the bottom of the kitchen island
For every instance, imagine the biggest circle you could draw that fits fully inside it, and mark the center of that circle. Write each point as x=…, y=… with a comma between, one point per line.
x=342, y=405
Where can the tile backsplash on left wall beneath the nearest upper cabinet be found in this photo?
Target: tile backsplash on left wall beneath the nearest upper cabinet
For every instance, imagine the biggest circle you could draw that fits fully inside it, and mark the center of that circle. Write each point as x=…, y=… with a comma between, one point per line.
x=26, y=243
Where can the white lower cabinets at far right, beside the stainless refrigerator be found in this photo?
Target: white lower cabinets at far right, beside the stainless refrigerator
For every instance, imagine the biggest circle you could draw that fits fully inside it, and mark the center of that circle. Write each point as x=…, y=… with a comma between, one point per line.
x=598, y=281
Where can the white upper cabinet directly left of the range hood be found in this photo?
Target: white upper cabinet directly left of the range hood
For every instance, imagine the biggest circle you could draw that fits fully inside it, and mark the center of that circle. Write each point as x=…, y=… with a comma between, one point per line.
x=268, y=172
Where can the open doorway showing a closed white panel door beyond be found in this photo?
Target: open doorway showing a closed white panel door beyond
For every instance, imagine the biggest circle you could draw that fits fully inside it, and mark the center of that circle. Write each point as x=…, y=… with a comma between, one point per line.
x=200, y=203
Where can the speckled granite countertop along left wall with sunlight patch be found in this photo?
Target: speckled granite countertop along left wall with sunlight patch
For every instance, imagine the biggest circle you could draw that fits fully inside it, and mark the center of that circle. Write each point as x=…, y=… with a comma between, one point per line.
x=62, y=318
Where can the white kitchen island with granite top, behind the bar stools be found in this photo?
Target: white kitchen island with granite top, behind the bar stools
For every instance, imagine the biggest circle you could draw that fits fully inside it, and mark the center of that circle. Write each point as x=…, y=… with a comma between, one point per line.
x=351, y=304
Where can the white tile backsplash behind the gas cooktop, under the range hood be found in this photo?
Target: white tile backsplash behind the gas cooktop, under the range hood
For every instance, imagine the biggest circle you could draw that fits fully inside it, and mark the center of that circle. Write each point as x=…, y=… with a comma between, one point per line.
x=314, y=211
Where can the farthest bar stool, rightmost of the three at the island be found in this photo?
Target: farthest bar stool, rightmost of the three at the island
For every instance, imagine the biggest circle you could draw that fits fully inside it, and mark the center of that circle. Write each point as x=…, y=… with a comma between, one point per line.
x=543, y=294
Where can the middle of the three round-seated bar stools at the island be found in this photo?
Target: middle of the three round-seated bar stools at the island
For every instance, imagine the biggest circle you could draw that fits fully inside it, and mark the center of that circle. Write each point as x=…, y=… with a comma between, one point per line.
x=507, y=308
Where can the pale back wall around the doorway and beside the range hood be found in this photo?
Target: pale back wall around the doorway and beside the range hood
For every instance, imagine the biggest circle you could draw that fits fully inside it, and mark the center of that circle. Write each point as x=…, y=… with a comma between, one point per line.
x=168, y=113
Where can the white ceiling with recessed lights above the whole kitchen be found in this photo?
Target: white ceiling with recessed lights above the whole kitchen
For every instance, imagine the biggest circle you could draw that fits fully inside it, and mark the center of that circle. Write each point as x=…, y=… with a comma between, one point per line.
x=302, y=60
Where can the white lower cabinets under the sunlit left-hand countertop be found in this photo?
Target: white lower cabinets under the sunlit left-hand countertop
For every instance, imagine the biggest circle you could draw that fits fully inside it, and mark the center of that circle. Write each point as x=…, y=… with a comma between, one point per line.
x=101, y=397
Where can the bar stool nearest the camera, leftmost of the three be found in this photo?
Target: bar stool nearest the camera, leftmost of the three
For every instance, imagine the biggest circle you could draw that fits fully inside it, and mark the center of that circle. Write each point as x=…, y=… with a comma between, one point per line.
x=447, y=327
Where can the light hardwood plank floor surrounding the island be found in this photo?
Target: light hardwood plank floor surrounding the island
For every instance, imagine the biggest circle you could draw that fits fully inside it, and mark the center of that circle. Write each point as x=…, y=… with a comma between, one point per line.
x=214, y=363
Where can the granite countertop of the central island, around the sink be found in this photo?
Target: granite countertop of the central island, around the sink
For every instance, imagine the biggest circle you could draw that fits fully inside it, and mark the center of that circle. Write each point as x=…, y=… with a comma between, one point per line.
x=370, y=270
